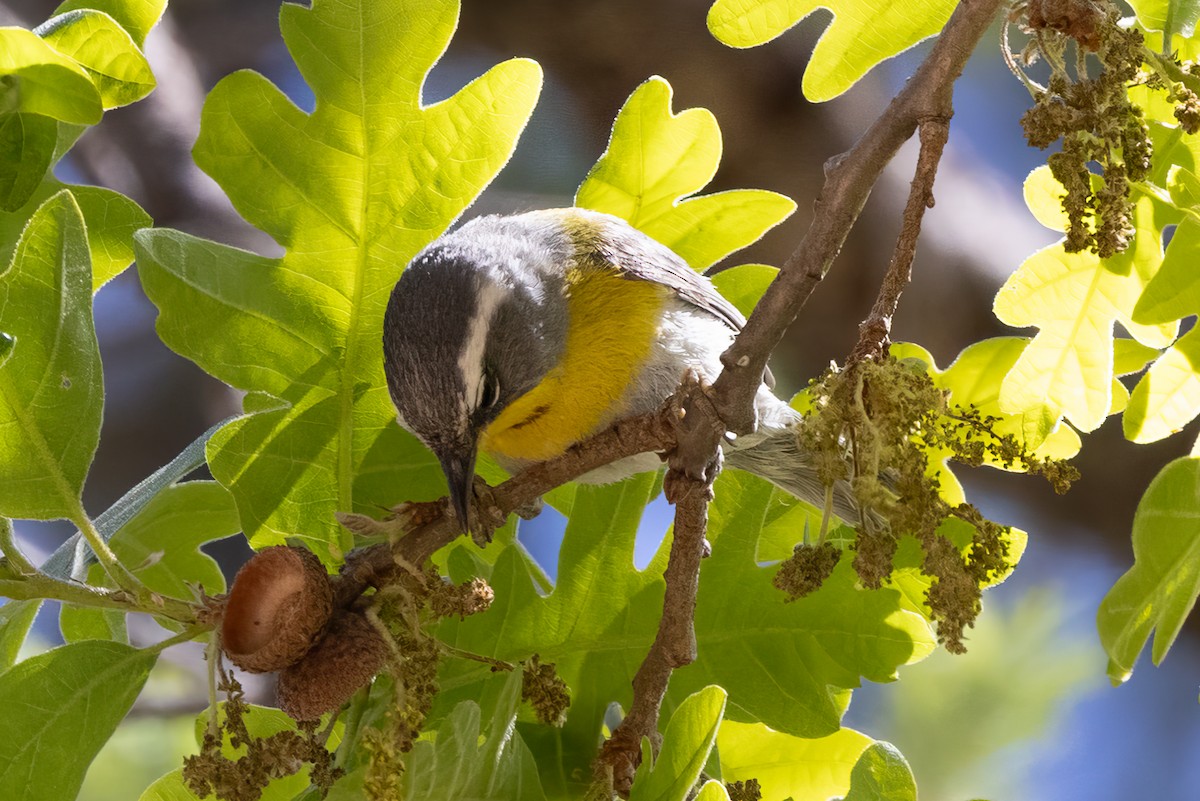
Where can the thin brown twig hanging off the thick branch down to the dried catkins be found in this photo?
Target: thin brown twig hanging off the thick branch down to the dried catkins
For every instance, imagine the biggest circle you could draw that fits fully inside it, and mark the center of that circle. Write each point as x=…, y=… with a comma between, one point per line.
x=875, y=330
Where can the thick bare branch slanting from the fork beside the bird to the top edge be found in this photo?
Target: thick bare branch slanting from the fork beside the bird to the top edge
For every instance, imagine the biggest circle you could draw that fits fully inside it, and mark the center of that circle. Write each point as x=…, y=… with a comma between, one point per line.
x=849, y=182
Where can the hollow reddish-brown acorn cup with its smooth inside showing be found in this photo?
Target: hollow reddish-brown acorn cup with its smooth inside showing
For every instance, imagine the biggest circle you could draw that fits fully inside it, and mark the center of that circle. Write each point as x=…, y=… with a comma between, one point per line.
x=279, y=606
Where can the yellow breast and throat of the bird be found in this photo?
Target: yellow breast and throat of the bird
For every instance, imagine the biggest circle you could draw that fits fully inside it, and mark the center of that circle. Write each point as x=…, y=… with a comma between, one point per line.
x=613, y=324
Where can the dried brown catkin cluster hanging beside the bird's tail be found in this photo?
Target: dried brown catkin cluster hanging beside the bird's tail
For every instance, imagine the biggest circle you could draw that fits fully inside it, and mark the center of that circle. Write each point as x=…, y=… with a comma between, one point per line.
x=881, y=426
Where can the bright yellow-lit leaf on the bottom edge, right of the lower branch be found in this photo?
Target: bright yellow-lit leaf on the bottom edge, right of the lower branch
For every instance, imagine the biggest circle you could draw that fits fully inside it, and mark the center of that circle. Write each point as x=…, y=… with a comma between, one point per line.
x=787, y=766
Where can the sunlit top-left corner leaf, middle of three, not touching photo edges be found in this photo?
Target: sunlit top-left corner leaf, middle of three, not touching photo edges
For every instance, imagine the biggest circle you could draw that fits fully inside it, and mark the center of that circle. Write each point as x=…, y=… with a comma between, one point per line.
x=106, y=51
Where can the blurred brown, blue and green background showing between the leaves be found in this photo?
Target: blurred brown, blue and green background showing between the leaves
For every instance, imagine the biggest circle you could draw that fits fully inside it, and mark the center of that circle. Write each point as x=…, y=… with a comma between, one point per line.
x=1028, y=713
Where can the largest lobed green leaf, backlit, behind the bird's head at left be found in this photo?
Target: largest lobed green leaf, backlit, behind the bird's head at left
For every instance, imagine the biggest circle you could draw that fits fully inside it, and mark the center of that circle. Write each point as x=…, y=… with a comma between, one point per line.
x=352, y=191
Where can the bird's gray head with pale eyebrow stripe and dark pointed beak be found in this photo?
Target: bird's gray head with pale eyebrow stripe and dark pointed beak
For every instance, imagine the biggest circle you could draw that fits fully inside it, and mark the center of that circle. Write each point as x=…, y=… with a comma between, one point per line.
x=475, y=323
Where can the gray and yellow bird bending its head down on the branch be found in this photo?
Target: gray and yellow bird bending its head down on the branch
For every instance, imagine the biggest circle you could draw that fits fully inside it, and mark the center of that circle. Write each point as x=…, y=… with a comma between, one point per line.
x=523, y=335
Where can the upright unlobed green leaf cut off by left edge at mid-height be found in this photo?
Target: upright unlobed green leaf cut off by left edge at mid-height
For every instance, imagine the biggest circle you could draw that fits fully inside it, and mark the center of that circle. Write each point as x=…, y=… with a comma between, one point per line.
x=51, y=387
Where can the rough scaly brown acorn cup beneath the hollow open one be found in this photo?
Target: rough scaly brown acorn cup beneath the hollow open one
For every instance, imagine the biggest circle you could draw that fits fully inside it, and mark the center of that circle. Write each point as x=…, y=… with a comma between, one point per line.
x=350, y=654
